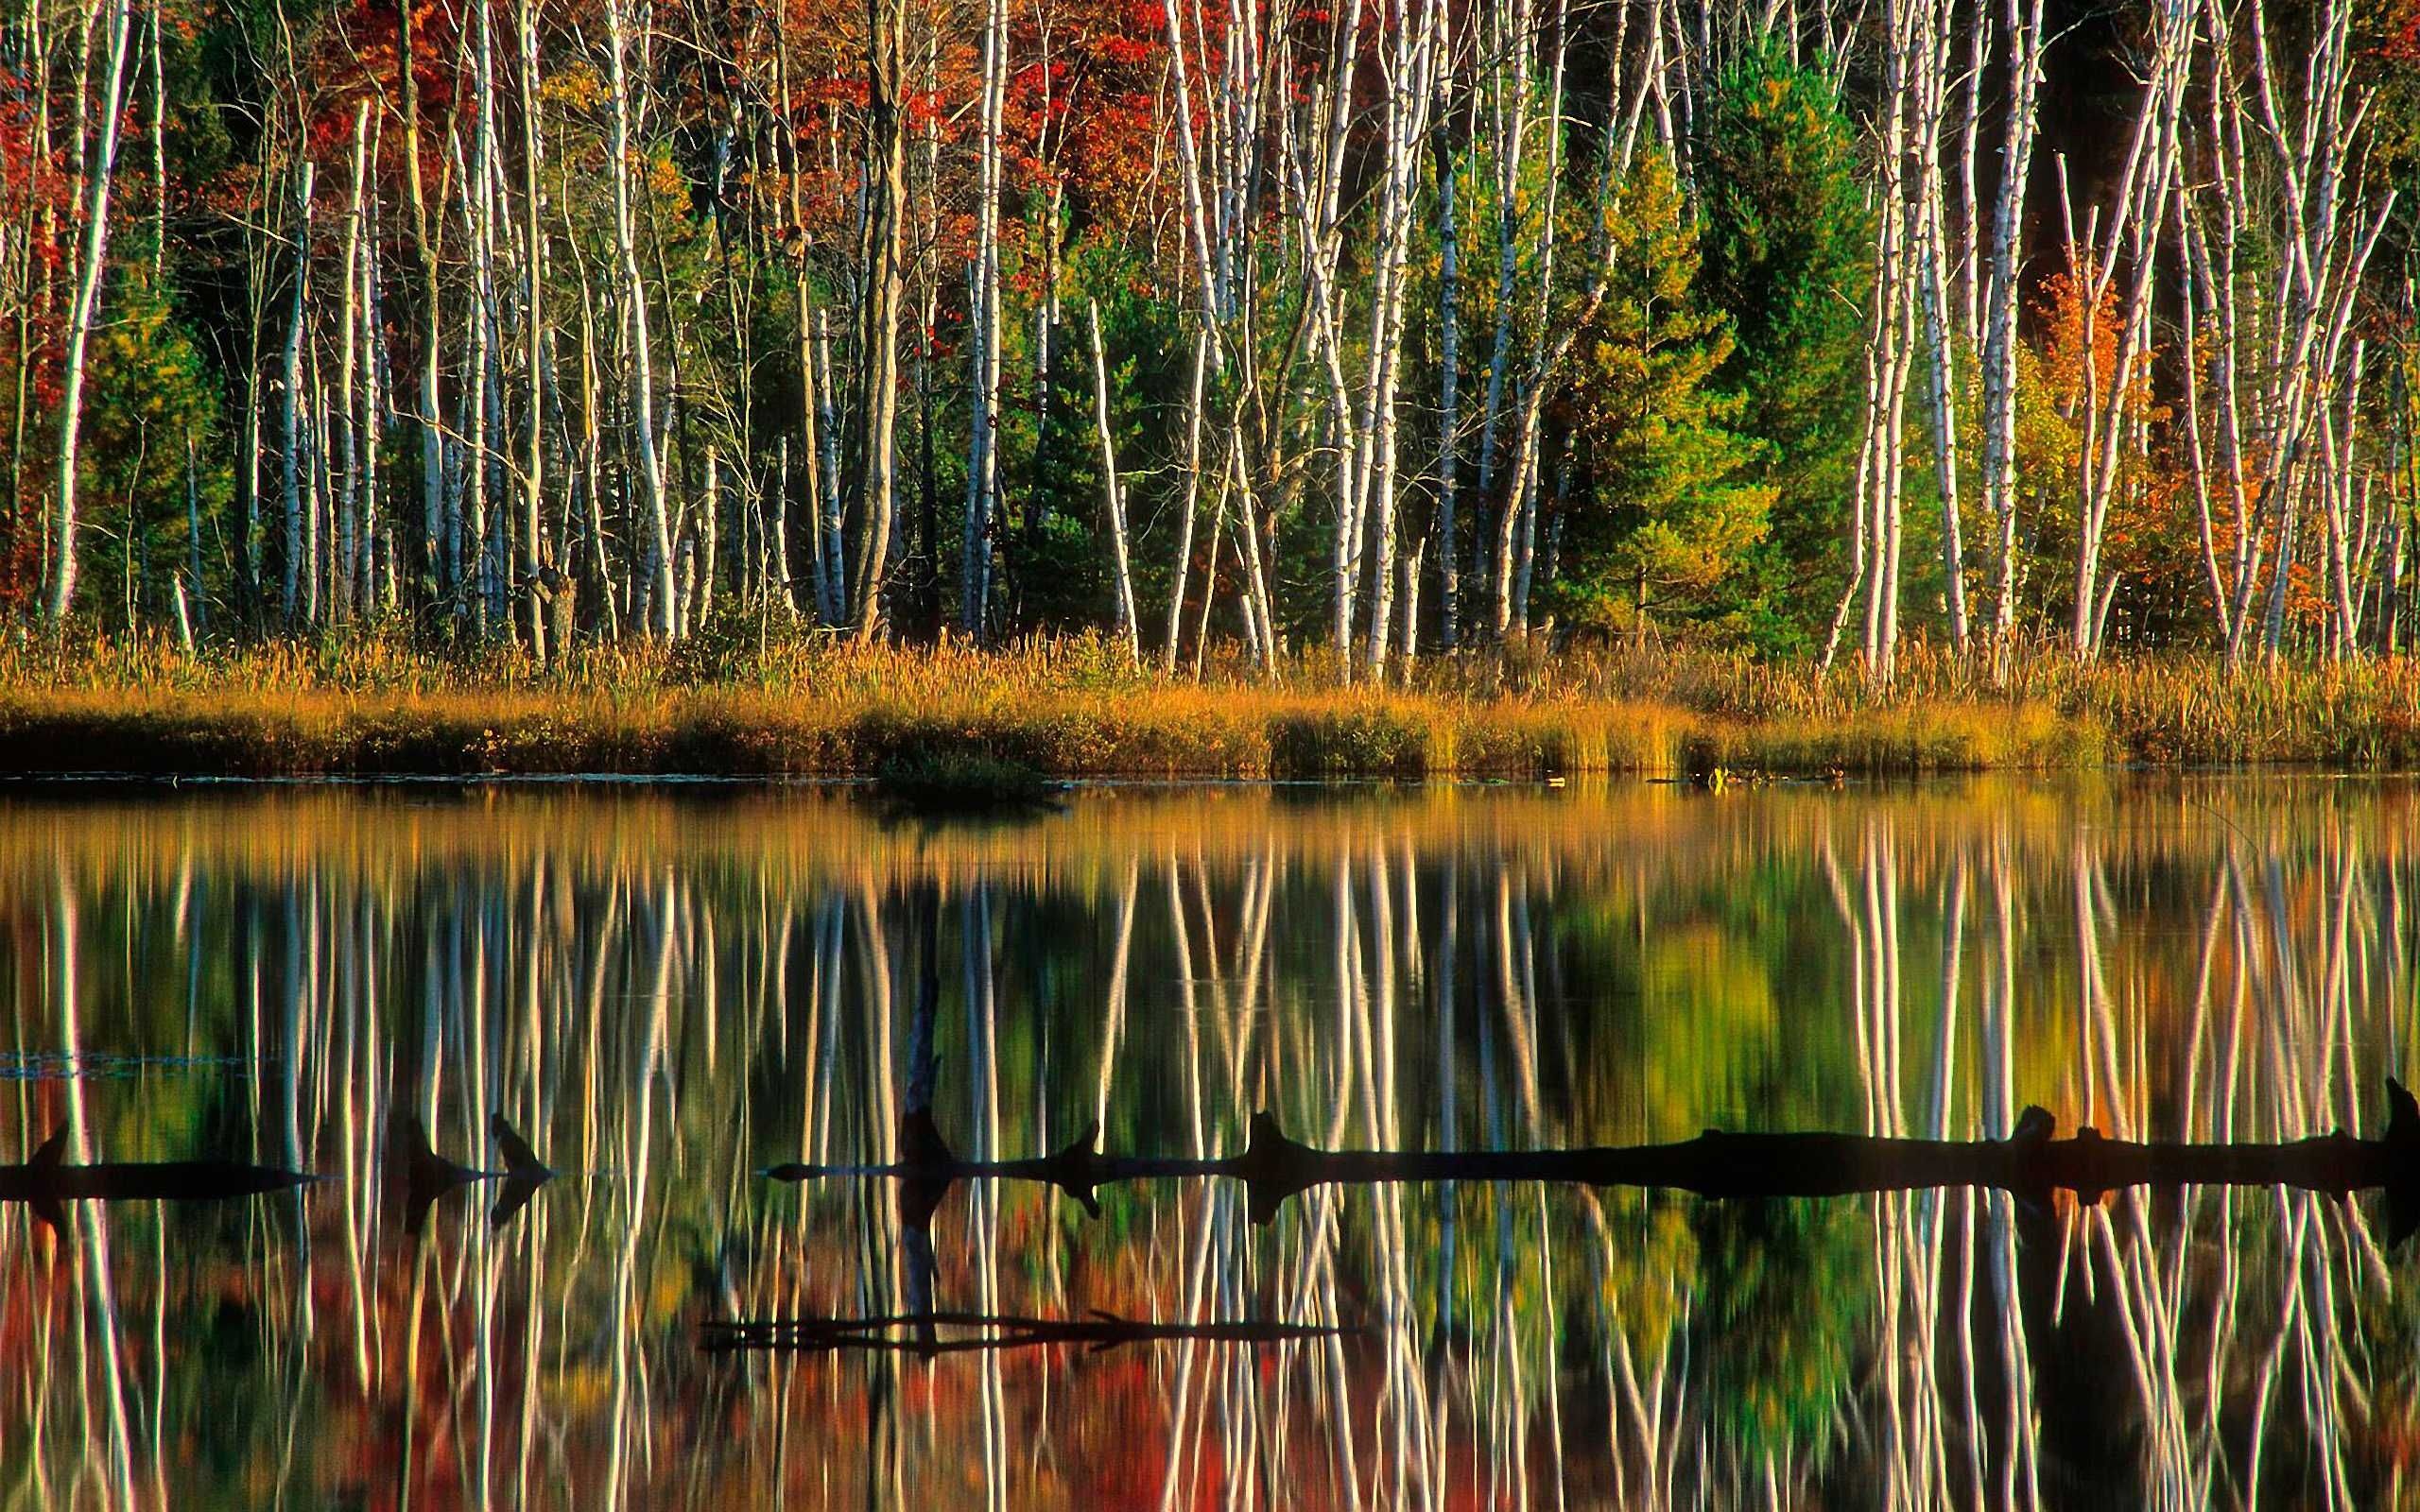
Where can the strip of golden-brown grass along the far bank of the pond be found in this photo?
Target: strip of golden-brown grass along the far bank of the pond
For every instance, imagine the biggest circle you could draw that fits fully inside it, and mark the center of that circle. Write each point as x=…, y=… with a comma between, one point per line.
x=1076, y=708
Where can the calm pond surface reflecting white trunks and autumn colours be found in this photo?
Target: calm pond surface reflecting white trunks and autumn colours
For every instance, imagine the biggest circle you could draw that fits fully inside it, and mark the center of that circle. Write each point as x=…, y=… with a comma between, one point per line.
x=672, y=991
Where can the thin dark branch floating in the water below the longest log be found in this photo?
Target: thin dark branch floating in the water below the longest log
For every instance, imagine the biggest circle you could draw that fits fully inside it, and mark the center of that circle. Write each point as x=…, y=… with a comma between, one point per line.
x=998, y=1332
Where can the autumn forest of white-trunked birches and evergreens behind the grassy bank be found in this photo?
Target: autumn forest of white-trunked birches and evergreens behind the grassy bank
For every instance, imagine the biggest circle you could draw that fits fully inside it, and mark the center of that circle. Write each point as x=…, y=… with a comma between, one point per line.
x=1267, y=328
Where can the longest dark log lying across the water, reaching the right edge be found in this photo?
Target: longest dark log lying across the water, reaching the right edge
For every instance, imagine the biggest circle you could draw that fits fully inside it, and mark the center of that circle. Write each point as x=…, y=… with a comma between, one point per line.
x=1717, y=1165
